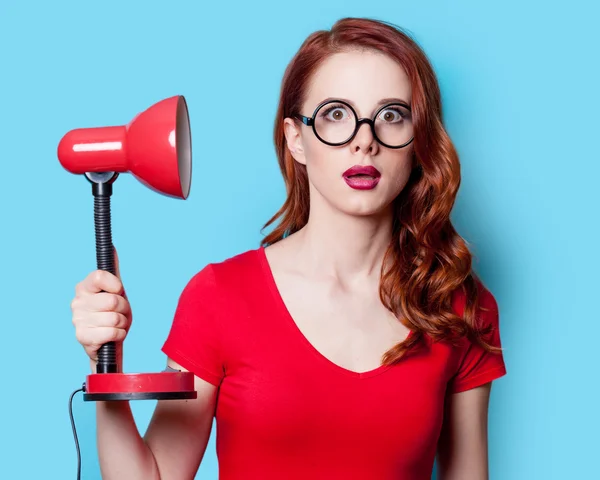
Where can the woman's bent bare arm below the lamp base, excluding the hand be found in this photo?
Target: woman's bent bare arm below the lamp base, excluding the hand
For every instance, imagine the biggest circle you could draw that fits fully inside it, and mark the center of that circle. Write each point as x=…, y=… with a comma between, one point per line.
x=173, y=445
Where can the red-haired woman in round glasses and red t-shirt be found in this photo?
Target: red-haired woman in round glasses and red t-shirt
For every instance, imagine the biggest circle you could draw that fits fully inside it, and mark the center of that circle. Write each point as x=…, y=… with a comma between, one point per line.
x=355, y=342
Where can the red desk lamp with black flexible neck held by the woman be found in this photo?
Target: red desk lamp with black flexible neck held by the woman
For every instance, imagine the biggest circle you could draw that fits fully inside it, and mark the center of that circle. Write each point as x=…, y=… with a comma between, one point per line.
x=155, y=147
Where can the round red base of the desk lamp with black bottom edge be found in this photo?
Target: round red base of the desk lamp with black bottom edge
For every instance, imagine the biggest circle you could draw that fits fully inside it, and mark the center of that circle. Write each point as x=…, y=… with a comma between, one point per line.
x=139, y=386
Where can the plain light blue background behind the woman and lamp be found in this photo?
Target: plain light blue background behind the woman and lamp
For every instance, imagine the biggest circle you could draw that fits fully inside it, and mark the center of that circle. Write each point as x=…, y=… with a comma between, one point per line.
x=520, y=90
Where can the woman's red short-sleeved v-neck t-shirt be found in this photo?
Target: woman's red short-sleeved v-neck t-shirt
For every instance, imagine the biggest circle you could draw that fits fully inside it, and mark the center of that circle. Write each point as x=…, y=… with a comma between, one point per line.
x=285, y=411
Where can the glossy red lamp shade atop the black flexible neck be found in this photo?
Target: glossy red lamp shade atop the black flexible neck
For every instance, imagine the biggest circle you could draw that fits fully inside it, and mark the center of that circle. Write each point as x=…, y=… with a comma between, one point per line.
x=155, y=147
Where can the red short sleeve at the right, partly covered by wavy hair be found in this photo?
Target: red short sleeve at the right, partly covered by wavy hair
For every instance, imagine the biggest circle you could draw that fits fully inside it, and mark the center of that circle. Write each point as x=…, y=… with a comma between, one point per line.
x=477, y=366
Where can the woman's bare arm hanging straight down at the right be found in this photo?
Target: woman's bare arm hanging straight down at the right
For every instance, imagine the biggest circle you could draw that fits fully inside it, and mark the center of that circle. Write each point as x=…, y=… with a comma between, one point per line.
x=463, y=445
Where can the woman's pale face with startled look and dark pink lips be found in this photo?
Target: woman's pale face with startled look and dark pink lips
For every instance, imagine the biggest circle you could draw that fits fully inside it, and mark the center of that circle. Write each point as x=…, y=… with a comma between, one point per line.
x=367, y=81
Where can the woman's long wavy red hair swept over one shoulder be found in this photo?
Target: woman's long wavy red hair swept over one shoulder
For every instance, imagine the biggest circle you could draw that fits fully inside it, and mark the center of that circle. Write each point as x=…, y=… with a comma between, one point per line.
x=427, y=262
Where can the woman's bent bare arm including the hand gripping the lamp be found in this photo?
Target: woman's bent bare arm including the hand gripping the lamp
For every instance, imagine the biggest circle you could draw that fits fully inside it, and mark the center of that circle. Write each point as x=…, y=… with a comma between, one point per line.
x=176, y=438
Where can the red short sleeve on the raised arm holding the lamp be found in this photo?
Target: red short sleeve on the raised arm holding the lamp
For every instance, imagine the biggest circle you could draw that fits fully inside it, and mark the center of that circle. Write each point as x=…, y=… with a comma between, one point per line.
x=194, y=340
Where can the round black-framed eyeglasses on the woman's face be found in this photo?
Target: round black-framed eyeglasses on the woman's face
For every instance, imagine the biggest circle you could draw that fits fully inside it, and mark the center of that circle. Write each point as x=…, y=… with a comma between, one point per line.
x=335, y=123
